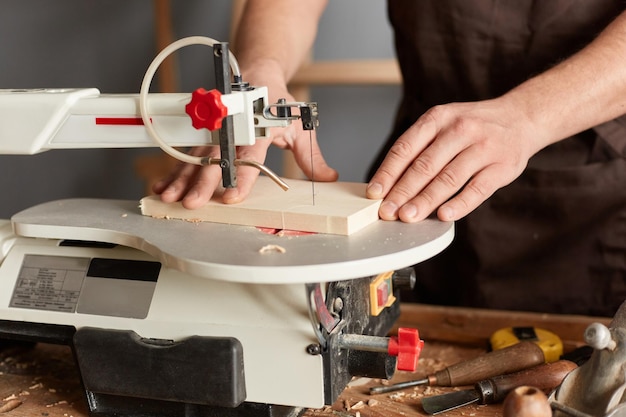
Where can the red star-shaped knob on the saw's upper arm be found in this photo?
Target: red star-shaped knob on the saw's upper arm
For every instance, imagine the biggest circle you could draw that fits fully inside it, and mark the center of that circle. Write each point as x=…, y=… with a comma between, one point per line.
x=206, y=109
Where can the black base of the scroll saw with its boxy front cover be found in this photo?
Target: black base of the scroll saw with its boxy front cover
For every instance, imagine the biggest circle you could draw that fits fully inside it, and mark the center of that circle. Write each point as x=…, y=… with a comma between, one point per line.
x=123, y=353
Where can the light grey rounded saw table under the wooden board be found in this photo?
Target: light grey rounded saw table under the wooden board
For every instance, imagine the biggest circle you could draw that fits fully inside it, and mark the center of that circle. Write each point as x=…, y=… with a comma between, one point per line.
x=233, y=253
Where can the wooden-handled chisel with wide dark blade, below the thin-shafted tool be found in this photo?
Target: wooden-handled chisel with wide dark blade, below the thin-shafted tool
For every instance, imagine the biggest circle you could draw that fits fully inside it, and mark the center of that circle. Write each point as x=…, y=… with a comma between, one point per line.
x=544, y=377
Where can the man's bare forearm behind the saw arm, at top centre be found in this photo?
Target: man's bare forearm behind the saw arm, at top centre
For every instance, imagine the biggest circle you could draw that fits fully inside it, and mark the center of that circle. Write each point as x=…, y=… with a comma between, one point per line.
x=276, y=35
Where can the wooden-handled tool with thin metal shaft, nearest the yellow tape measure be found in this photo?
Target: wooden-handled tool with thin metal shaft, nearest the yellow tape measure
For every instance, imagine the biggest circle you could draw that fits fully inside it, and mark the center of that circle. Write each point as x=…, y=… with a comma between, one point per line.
x=513, y=358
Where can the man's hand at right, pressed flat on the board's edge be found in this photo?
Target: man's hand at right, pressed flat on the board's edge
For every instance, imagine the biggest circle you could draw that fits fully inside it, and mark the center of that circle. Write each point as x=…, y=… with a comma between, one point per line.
x=452, y=159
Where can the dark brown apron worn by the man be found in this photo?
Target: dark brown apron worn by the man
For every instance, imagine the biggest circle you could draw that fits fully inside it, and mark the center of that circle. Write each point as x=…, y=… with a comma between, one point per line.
x=555, y=239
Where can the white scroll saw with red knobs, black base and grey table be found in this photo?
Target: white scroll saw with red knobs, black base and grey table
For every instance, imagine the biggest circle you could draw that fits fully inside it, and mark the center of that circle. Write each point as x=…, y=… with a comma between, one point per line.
x=171, y=318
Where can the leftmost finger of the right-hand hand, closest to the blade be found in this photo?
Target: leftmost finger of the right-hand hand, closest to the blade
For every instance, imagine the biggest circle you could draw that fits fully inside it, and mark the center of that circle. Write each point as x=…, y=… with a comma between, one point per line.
x=401, y=155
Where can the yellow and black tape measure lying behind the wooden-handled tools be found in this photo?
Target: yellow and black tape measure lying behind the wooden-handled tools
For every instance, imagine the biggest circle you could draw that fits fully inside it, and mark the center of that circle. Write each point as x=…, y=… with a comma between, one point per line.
x=548, y=342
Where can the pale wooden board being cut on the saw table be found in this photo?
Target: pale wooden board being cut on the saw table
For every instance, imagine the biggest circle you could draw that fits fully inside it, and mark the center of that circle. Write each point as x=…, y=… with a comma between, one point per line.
x=340, y=208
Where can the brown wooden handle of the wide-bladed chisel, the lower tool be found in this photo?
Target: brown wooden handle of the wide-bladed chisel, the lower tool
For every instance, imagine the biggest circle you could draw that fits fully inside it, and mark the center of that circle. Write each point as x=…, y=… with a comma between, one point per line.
x=544, y=377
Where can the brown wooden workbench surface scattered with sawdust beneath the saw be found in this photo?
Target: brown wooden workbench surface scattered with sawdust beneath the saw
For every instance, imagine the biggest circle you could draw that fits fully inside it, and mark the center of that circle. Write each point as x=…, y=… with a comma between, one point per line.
x=42, y=379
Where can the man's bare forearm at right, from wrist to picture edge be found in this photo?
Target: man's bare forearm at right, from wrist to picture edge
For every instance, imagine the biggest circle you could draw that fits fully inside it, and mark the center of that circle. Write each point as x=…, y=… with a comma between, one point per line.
x=583, y=91
